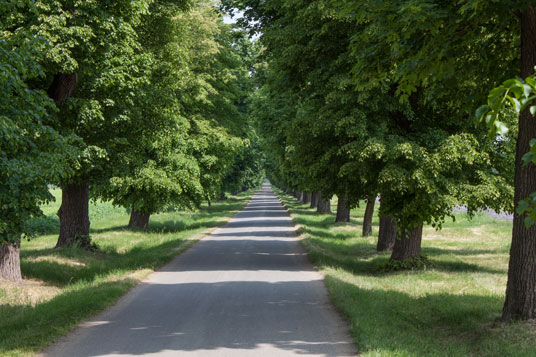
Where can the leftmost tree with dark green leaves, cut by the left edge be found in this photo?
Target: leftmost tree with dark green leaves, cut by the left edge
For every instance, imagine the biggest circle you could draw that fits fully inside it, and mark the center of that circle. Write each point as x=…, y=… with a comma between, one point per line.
x=32, y=153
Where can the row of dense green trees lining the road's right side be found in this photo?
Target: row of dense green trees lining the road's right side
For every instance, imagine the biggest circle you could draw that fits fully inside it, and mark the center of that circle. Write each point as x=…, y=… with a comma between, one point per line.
x=361, y=99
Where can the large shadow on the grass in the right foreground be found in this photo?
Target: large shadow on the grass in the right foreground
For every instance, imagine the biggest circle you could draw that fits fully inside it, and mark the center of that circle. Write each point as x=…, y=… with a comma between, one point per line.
x=388, y=321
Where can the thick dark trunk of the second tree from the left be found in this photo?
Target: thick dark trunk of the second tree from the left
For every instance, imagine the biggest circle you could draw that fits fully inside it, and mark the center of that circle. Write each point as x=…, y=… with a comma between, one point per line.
x=73, y=213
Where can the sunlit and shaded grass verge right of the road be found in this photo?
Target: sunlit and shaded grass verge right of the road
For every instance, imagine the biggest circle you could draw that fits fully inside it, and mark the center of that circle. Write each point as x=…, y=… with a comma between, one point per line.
x=450, y=310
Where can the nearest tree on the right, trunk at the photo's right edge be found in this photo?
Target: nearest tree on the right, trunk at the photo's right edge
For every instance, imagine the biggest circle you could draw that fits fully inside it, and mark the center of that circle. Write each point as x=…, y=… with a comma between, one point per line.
x=475, y=40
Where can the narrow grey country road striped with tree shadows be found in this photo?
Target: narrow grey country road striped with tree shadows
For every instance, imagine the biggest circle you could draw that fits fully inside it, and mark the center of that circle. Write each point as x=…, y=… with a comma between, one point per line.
x=247, y=289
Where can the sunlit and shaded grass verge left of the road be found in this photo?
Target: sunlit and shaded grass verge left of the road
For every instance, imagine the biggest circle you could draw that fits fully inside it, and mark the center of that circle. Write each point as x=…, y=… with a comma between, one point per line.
x=63, y=287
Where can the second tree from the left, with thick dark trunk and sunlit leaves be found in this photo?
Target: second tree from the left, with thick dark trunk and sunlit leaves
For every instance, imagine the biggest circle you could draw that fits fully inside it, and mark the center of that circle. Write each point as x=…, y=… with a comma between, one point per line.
x=100, y=110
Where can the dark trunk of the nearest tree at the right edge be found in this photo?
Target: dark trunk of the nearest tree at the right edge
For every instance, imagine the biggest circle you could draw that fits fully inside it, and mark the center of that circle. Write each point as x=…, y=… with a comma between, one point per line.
x=520, y=302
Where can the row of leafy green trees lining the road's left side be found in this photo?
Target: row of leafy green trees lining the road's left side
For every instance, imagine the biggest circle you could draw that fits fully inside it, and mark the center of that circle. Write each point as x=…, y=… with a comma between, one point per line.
x=143, y=103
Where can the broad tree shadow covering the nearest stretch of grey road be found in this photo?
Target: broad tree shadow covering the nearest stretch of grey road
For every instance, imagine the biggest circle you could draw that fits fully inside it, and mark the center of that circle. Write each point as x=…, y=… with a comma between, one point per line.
x=201, y=318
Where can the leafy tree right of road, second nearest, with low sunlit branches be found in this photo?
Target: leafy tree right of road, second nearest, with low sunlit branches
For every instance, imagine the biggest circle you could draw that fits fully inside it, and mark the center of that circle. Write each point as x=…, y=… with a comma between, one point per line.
x=392, y=54
